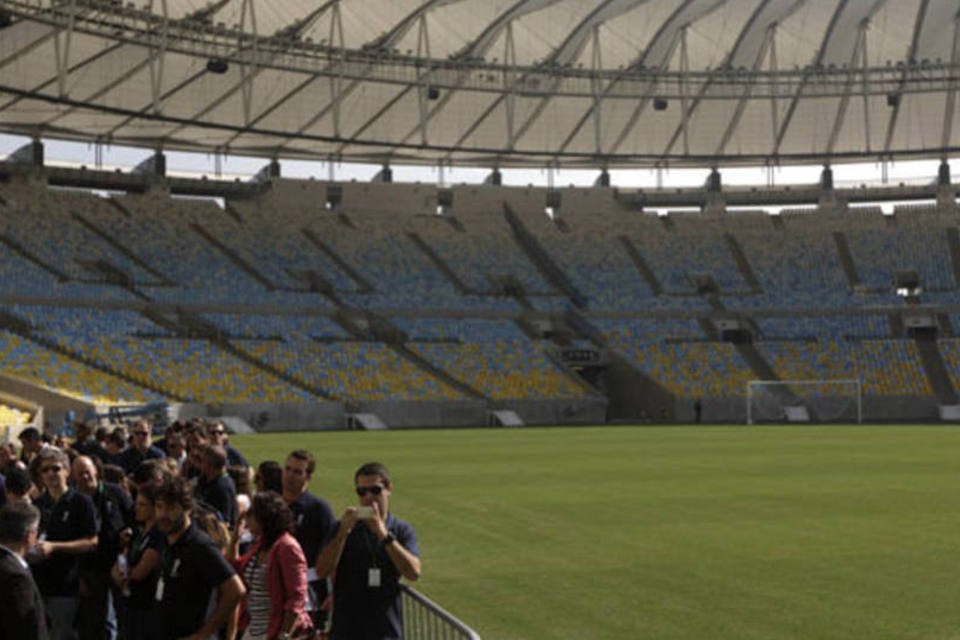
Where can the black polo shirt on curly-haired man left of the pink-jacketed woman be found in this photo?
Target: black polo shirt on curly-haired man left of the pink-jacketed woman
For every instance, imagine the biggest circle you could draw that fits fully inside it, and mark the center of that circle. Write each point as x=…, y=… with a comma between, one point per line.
x=191, y=570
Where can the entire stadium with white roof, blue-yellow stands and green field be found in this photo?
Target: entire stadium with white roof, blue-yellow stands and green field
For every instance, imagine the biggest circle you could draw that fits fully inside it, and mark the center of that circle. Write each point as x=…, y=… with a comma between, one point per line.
x=430, y=322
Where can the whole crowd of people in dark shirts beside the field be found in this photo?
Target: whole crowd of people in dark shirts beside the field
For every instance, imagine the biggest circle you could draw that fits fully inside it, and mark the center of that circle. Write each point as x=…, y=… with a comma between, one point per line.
x=113, y=536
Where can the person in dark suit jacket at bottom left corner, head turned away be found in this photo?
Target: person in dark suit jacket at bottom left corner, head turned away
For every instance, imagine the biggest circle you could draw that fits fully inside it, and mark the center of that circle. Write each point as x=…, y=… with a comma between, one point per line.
x=21, y=605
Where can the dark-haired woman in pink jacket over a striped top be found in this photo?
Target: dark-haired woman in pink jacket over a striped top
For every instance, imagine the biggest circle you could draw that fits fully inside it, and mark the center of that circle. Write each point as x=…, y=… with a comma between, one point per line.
x=274, y=571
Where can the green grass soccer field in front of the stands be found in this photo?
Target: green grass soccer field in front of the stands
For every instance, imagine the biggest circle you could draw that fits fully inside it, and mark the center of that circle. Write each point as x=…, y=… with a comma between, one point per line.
x=673, y=532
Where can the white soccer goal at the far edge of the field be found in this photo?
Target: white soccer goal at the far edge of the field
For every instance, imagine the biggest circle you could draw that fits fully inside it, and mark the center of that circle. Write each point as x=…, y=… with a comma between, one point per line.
x=804, y=401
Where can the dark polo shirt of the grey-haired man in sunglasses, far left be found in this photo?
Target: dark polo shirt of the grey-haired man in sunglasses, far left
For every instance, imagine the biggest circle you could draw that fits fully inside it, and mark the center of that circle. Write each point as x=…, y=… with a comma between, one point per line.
x=72, y=517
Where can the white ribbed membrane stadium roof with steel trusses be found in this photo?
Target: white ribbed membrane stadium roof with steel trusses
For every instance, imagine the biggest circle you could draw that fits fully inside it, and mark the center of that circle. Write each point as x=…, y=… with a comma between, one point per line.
x=616, y=83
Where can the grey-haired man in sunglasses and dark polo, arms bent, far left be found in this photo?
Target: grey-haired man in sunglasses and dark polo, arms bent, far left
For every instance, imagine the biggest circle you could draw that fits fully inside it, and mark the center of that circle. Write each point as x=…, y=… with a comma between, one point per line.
x=68, y=531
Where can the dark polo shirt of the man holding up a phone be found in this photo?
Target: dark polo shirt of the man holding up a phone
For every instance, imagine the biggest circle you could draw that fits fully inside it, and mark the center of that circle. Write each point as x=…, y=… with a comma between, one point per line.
x=362, y=611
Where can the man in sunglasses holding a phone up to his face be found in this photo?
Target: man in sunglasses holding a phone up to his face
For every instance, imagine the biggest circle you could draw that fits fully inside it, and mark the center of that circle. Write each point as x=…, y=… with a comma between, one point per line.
x=369, y=551
